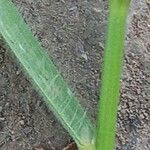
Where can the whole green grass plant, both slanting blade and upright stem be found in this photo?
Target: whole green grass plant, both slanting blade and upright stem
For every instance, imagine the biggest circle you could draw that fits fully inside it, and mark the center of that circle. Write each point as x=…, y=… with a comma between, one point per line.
x=54, y=89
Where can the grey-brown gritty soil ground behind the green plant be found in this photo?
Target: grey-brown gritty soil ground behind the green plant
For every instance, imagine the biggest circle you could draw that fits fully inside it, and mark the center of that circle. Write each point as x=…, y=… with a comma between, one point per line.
x=73, y=33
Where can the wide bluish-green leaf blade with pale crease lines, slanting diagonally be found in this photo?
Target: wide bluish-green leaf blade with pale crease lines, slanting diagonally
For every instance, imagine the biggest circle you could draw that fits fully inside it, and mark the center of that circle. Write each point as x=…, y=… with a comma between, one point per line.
x=45, y=75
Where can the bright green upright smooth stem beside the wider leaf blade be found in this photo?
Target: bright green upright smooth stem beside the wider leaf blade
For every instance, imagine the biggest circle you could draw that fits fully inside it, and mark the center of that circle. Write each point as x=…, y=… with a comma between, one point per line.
x=110, y=86
